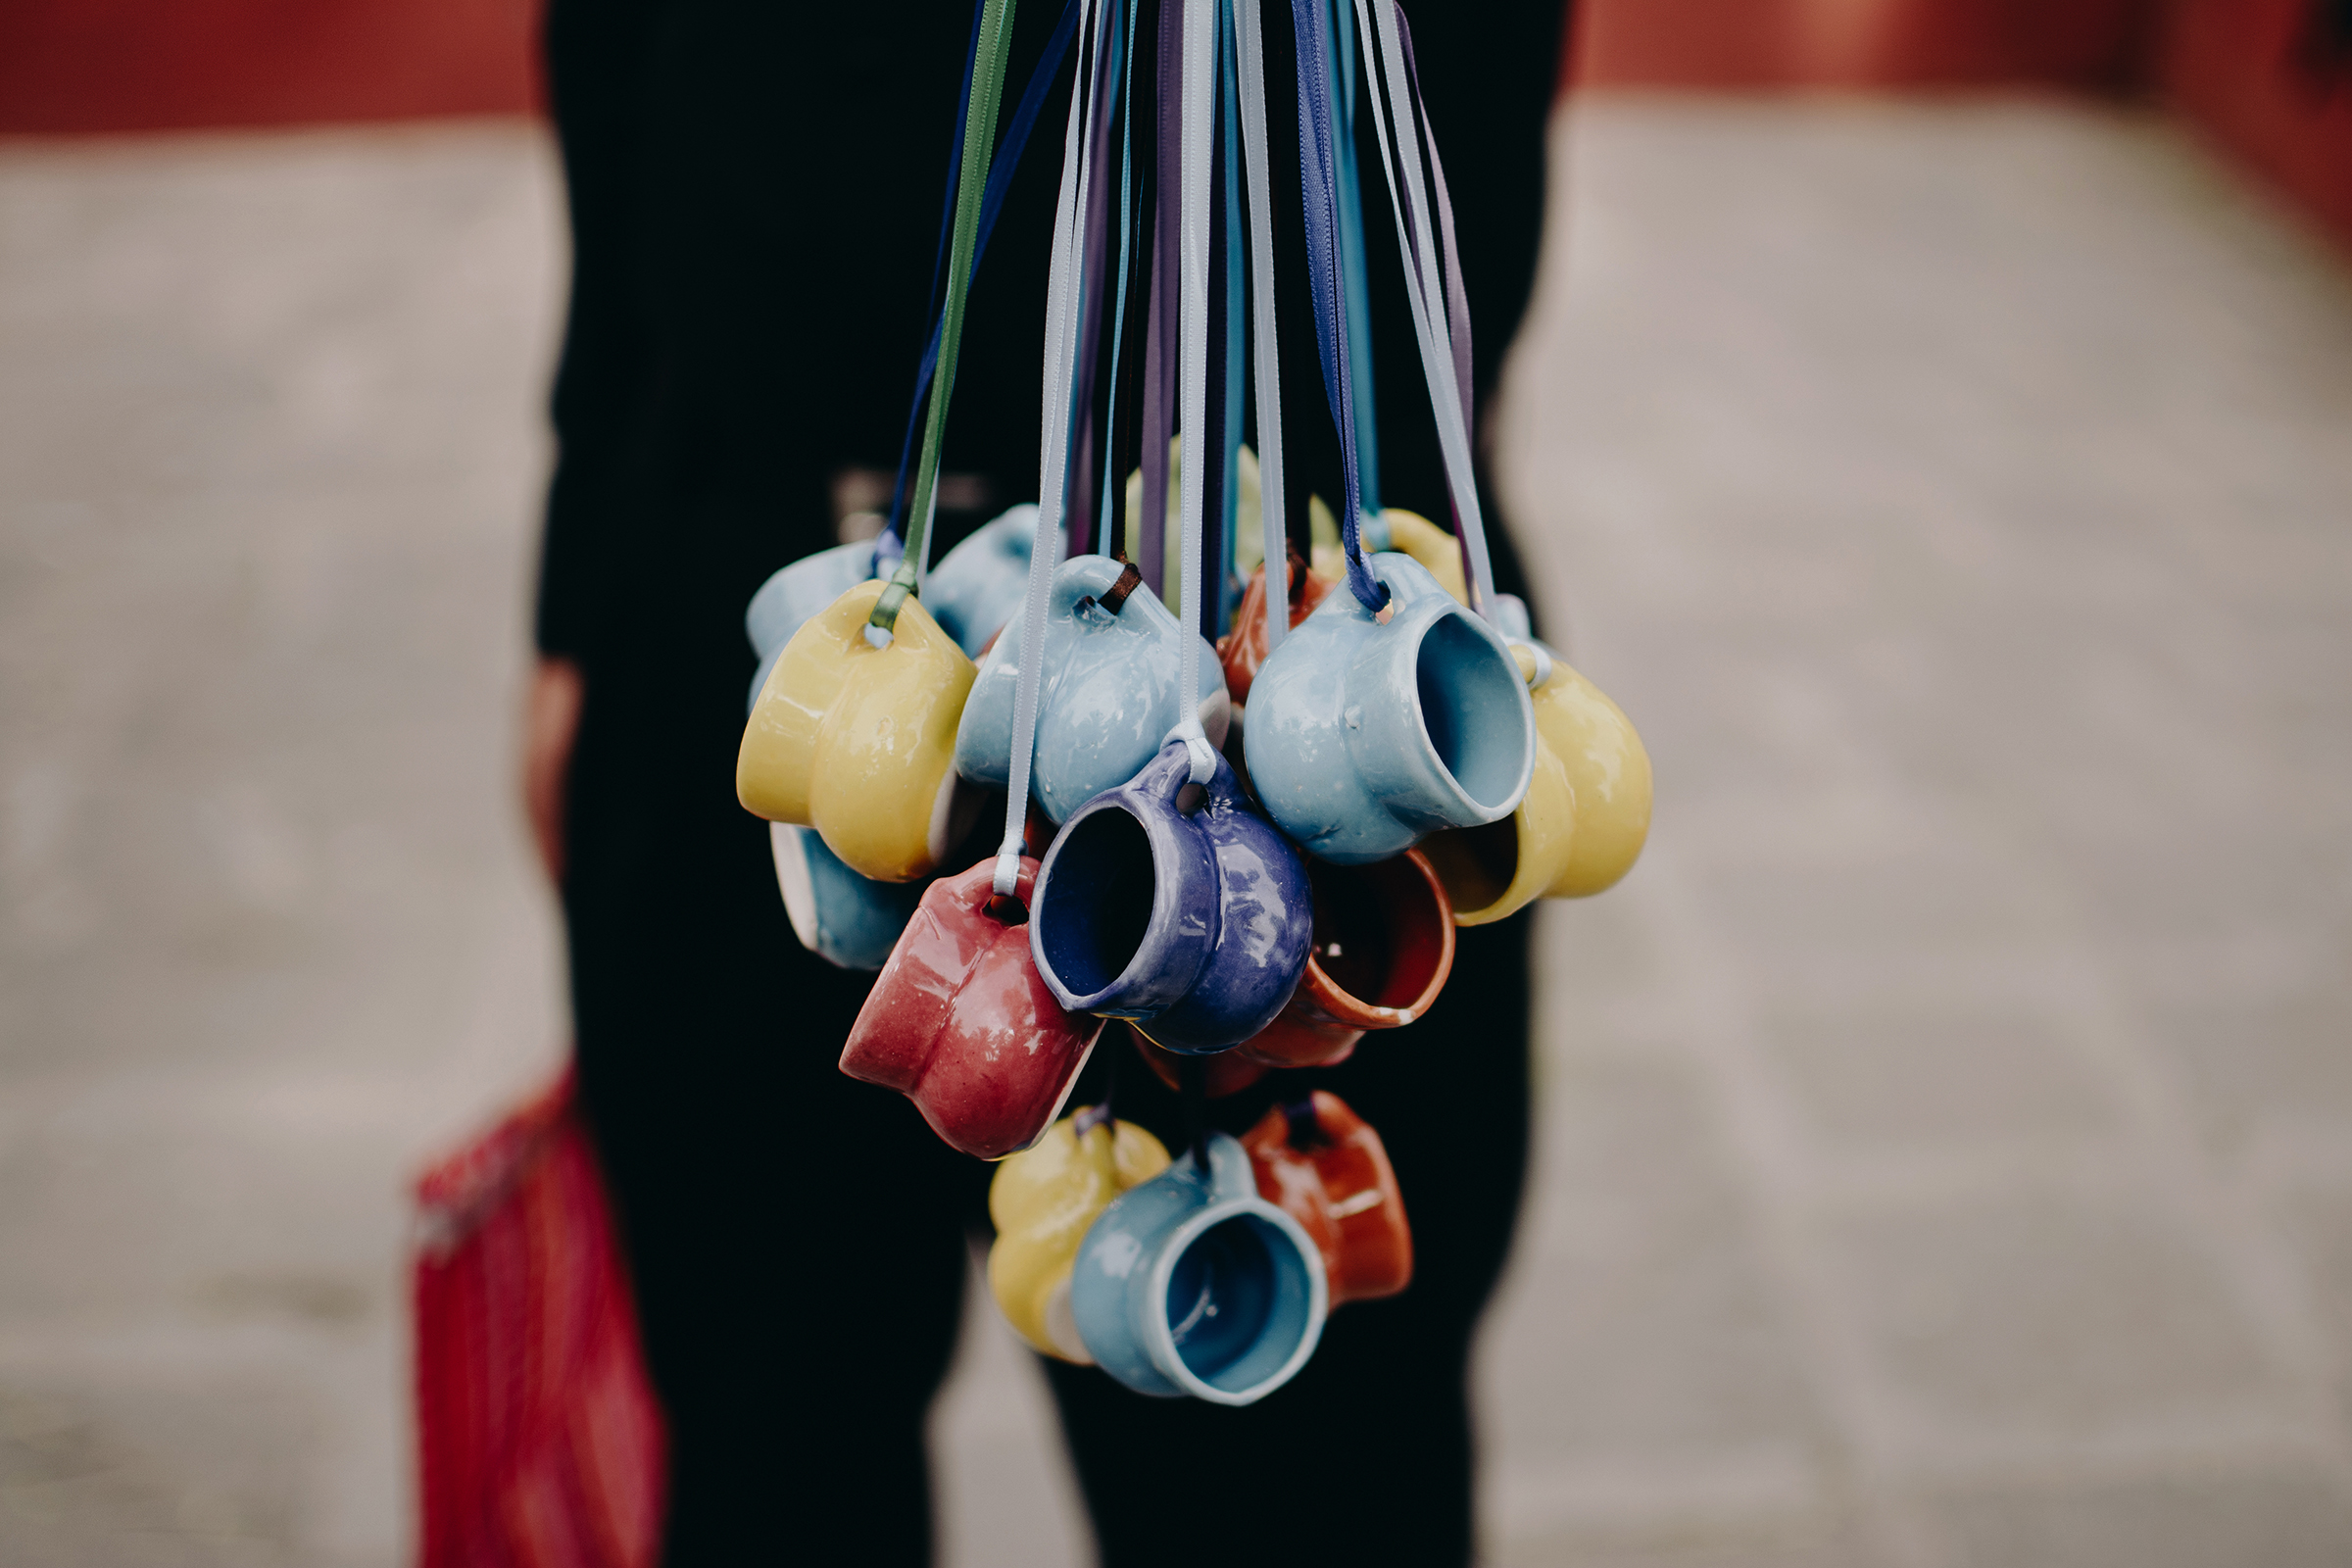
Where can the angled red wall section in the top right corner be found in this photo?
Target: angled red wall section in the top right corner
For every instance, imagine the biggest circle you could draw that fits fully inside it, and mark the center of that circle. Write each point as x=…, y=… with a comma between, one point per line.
x=2238, y=67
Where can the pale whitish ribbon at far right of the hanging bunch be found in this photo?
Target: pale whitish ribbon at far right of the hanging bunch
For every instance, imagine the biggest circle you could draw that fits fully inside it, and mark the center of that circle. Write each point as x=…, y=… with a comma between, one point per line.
x=1445, y=344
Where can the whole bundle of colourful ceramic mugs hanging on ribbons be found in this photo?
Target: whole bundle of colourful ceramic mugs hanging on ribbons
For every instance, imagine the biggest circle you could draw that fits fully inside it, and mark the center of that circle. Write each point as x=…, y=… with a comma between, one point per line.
x=1250, y=791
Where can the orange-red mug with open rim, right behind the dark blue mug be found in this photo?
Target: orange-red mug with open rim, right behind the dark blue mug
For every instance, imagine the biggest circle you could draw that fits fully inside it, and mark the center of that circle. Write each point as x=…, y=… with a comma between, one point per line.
x=1384, y=949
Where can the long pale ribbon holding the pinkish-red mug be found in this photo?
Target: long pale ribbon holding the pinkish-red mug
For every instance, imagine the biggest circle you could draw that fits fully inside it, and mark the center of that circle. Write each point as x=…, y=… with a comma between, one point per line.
x=1064, y=286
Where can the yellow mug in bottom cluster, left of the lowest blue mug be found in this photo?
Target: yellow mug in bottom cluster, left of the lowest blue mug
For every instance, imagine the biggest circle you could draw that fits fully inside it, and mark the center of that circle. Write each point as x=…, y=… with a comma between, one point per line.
x=1043, y=1200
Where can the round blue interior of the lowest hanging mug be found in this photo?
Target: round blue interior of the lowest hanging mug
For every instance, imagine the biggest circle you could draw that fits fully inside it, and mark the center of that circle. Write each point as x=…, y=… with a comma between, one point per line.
x=1238, y=1304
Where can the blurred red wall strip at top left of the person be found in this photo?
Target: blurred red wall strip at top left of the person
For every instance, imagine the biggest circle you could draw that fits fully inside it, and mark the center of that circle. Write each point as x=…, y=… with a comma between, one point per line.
x=171, y=65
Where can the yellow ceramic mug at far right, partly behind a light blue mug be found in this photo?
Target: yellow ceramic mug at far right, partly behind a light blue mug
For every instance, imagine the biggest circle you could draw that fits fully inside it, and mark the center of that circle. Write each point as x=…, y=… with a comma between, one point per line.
x=1584, y=819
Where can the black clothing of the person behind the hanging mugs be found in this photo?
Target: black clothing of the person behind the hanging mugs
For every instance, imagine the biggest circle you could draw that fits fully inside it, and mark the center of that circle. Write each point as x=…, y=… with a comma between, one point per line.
x=756, y=199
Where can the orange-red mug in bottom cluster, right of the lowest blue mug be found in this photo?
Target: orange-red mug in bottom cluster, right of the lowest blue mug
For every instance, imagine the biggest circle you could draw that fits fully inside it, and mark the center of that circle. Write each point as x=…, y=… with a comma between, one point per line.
x=1328, y=1170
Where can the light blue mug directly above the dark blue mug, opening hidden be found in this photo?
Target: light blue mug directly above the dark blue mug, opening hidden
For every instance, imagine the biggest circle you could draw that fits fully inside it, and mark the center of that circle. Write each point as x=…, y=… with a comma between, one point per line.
x=1111, y=692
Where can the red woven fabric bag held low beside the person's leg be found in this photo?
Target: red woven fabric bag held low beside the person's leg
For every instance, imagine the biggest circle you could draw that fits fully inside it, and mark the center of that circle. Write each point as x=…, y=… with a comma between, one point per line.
x=540, y=1438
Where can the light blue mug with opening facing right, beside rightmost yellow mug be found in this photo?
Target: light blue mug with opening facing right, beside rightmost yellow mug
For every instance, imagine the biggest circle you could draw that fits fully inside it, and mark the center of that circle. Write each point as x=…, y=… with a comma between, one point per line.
x=1368, y=737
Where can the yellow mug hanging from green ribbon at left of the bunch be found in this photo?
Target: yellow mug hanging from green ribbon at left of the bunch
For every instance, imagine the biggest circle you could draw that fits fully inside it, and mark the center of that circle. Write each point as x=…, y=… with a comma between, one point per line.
x=860, y=742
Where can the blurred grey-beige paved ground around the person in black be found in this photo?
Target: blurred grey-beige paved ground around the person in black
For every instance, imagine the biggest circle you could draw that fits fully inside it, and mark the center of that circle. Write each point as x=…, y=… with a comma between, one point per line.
x=1946, y=1132
